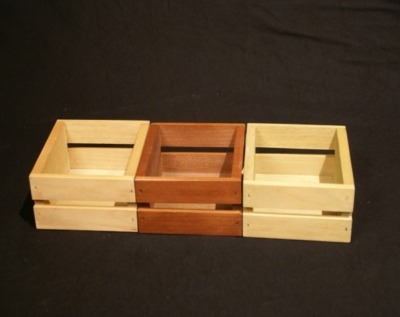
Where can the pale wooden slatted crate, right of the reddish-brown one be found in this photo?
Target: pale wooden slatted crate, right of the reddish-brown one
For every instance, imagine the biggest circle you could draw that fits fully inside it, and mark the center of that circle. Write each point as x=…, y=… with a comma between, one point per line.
x=298, y=182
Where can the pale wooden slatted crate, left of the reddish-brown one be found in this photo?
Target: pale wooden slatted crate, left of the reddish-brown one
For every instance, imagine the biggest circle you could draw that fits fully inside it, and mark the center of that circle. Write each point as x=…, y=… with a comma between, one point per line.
x=84, y=176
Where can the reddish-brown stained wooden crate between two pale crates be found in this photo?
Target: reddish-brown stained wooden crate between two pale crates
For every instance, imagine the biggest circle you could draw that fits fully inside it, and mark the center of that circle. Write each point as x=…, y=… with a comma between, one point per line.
x=189, y=179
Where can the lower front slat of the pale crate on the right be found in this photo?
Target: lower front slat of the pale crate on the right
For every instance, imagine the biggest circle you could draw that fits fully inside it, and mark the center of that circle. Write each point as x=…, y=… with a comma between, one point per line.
x=326, y=228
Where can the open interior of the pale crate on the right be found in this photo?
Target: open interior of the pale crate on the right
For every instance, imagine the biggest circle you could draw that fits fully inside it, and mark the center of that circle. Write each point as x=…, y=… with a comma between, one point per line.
x=293, y=156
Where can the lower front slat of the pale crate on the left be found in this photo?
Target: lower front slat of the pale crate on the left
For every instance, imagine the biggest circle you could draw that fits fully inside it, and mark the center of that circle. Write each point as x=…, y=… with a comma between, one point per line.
x=97, y=218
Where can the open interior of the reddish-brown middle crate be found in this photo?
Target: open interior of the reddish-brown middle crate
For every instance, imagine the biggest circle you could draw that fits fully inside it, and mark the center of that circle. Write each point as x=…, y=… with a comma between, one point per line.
x=195, y=151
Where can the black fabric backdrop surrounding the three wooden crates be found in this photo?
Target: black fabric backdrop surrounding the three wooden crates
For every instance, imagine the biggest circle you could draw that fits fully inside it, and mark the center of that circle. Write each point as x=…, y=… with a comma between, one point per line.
x=322, y=62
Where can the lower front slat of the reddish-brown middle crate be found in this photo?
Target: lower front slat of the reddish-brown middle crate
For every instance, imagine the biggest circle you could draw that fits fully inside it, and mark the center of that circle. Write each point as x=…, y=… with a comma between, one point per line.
x=191, y=222
